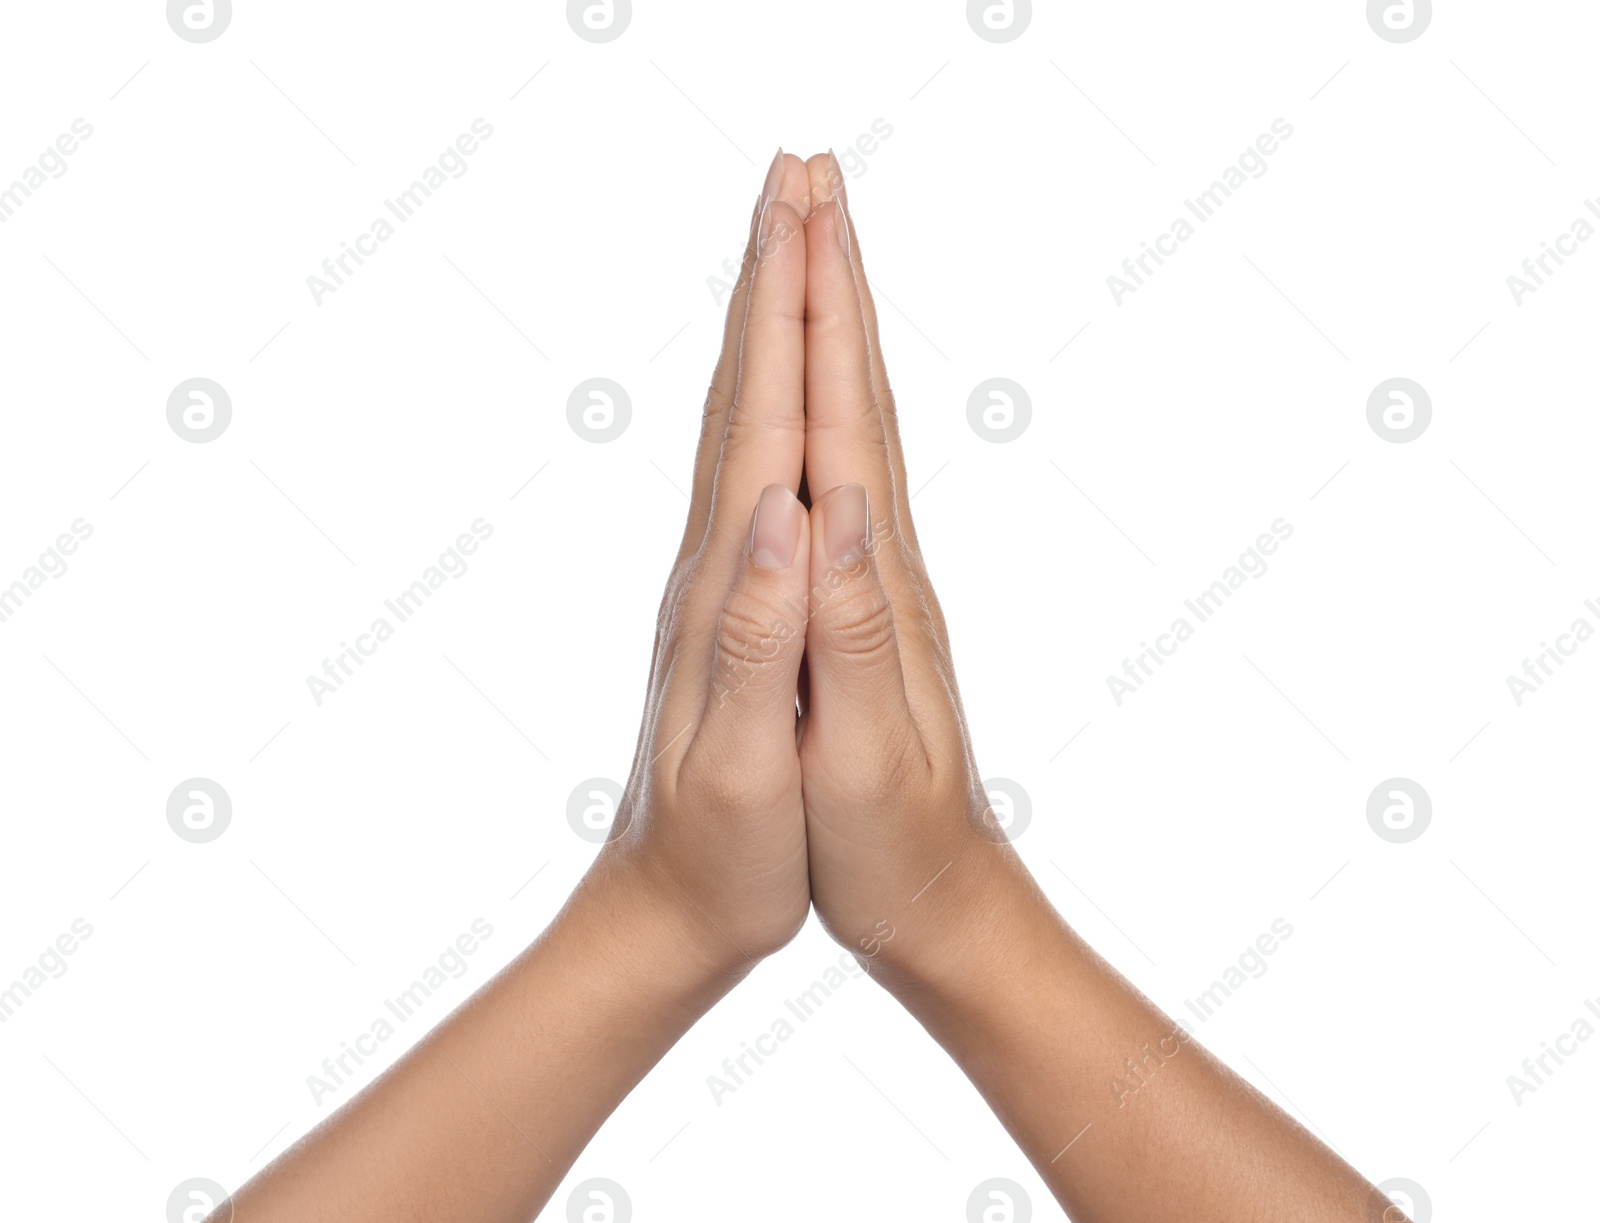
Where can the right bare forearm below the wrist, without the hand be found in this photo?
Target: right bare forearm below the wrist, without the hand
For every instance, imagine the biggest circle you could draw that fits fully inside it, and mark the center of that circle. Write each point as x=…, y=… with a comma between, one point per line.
x=1122, y=1113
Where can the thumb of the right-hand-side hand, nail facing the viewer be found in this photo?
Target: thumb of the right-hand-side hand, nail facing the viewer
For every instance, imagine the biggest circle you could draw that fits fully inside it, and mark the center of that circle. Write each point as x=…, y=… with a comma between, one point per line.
x=854, y=659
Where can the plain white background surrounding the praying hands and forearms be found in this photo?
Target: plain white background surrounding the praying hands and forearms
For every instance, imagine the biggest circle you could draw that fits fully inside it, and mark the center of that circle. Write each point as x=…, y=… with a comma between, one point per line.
x=372, y=430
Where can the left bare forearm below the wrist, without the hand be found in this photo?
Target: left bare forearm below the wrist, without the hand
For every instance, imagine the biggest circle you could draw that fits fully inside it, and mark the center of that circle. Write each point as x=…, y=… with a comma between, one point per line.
x=484, y=1118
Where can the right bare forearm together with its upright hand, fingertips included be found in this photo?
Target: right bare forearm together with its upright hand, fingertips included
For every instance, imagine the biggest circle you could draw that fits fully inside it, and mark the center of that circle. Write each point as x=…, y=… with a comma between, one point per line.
x=1126, y=1118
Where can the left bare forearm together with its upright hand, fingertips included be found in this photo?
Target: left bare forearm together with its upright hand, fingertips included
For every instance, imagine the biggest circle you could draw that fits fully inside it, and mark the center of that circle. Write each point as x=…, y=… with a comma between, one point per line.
x=706, y=867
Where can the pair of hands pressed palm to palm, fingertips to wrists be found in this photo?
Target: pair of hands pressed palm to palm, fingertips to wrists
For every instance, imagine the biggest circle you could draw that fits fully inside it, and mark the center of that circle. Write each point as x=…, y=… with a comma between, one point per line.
x=802, y=740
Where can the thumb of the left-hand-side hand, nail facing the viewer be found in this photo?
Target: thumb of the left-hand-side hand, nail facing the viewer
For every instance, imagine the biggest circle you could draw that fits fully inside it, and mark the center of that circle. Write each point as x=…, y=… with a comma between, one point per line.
x=750, y=713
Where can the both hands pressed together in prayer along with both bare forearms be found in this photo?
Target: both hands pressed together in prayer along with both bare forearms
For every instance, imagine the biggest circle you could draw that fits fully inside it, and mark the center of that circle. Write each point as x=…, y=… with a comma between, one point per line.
x=742, y=816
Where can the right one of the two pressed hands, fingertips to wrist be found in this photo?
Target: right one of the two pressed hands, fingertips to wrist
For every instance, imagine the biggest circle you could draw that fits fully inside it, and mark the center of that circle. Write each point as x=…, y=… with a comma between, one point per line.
x=902, y=836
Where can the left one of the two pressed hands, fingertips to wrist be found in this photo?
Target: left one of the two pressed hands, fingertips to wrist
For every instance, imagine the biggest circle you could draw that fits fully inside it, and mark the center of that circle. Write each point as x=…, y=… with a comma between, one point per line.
x=711, y=822
